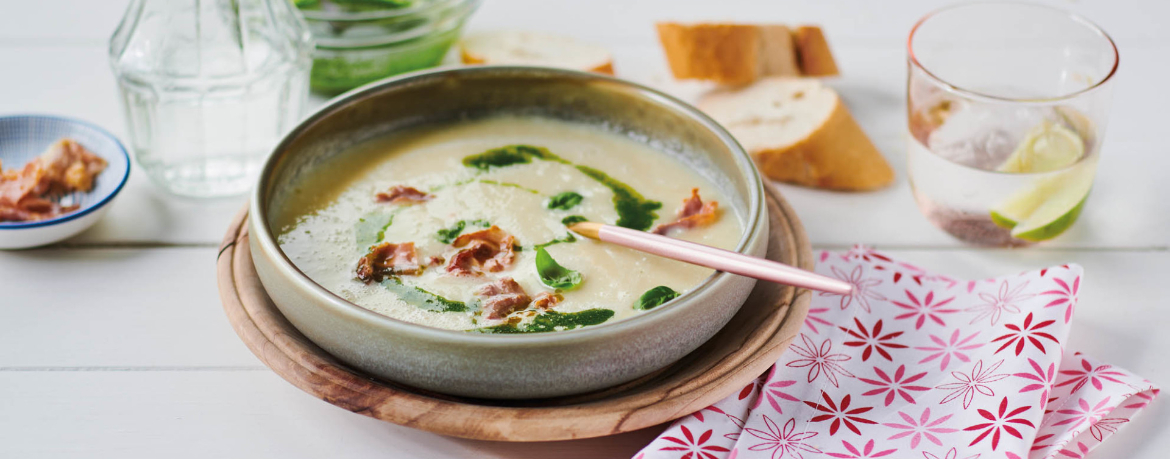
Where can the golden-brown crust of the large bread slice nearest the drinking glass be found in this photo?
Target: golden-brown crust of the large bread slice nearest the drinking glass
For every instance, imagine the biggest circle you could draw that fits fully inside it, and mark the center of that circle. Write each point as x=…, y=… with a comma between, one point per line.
x=837, y=155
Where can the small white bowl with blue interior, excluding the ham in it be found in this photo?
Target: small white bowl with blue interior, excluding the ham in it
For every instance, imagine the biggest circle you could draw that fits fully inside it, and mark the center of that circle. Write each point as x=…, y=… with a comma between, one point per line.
x=24, y=138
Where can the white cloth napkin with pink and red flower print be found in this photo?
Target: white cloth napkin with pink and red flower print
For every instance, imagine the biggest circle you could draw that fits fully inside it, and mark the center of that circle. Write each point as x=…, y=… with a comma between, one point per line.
x=920, y=366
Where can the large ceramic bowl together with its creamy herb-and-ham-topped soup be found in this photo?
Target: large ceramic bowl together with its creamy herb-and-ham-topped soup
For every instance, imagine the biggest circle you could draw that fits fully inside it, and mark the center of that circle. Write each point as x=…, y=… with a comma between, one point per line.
x=417, y=230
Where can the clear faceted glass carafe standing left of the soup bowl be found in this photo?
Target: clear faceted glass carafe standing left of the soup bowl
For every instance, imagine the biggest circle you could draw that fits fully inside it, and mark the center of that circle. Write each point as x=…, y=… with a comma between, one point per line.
x=210, y=87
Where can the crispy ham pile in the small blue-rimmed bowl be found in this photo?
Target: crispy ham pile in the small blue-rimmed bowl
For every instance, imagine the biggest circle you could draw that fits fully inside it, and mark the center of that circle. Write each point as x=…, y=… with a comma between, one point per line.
x=65, y=168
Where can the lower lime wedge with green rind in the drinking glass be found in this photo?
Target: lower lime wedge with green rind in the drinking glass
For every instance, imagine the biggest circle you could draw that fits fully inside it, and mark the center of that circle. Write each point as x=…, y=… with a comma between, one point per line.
x=1050, y=207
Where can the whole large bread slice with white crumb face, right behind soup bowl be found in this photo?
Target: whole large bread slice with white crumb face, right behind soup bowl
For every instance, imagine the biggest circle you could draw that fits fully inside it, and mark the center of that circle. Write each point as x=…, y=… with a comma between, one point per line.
x=800, y=132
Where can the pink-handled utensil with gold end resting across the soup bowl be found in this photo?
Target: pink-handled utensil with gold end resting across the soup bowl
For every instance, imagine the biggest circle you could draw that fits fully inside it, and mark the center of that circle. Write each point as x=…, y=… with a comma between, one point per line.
x=711, y=257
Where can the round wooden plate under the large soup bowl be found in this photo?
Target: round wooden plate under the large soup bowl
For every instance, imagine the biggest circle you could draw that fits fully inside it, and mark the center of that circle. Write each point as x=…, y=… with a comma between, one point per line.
x=740, y=353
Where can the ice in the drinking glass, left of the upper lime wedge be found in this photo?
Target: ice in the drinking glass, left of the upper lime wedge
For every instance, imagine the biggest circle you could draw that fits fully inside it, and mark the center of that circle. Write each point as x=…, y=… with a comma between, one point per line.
x=985, y=135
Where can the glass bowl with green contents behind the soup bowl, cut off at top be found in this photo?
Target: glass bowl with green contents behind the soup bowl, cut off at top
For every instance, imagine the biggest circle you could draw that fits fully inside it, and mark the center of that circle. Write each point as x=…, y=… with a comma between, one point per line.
x=360, y=42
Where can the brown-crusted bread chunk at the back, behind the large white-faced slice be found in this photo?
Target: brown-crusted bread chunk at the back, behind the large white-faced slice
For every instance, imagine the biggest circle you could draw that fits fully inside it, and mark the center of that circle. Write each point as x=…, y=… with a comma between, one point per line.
x=728, y=53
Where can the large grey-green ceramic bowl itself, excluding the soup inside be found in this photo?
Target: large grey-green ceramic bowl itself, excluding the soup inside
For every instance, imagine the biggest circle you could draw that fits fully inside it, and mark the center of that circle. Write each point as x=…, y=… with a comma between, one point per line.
x=507, y=366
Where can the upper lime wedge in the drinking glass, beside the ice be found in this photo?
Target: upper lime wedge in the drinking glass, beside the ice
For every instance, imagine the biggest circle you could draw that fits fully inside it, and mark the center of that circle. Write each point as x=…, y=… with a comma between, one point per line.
x=1049, y=147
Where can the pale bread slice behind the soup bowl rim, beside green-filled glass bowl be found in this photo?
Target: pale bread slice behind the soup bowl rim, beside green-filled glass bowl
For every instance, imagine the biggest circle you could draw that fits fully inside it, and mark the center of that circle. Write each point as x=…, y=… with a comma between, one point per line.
x=534, y=49
